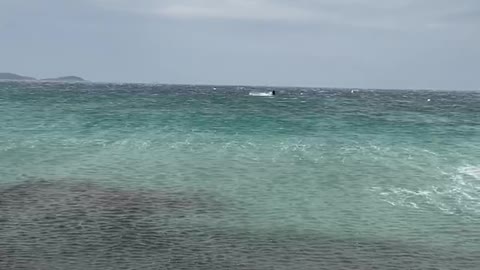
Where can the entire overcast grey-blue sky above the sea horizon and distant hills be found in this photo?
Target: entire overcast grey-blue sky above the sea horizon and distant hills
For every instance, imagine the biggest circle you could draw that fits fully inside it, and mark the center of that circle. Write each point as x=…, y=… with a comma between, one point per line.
x=331, y=43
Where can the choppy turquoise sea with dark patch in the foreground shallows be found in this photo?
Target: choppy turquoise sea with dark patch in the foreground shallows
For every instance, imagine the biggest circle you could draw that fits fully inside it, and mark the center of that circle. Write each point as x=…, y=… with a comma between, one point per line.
x=130, y=176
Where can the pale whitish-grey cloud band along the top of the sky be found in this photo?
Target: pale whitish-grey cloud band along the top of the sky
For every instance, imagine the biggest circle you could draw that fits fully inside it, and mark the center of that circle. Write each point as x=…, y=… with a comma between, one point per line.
x=382, y=14
